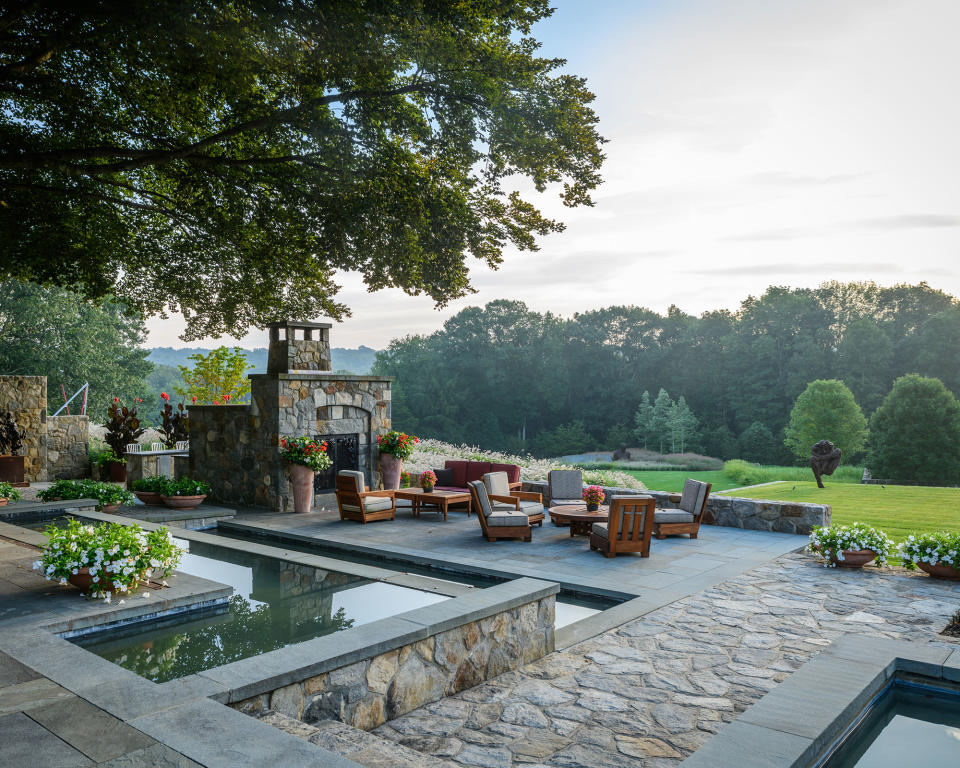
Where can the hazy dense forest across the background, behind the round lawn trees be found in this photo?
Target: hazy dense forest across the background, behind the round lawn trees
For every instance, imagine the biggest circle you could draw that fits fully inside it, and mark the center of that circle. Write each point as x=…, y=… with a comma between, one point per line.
x=505, y=377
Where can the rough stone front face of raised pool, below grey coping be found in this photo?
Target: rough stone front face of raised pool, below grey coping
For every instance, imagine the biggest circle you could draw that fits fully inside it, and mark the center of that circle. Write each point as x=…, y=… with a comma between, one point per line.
x=367, y=693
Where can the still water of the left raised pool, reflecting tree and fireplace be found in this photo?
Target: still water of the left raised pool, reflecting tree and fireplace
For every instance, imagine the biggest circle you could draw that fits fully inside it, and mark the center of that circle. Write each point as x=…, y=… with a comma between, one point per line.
x=277, y=603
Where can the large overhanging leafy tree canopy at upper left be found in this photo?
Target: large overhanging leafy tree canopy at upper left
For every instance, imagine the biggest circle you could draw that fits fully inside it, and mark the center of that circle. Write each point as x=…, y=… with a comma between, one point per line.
x=225, y=158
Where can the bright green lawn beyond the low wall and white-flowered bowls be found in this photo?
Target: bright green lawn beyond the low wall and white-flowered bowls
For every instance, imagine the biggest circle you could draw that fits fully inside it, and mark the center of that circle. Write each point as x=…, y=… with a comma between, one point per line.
x=897, y=509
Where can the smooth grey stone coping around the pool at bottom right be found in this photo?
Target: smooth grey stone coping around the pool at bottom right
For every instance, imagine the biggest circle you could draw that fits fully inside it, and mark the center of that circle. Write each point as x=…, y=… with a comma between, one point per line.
x=801, y=721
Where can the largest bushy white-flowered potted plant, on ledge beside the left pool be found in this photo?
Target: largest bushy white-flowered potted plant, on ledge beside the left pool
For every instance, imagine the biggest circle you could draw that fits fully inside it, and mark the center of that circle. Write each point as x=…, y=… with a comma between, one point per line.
x=107, y=559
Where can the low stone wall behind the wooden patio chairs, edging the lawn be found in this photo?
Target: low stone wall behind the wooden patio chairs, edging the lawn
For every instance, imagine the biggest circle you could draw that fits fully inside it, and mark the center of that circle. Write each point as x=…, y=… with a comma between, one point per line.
x=732, y=511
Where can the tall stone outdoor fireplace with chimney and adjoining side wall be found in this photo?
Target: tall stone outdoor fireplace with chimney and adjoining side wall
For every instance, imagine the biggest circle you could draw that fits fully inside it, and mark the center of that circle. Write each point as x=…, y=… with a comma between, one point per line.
x=235, y=448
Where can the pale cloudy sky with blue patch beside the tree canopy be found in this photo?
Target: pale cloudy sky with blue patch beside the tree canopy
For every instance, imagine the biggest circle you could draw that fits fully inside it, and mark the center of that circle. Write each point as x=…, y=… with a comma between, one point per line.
x=751, y=142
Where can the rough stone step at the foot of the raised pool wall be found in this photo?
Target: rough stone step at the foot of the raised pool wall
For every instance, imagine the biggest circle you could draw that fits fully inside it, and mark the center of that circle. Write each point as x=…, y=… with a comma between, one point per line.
x=360, y=746
